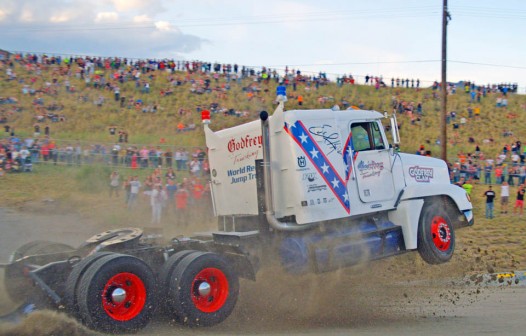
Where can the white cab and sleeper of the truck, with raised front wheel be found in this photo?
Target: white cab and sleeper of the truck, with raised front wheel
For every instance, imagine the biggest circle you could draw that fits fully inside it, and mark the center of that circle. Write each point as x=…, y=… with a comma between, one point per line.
x=333, y=189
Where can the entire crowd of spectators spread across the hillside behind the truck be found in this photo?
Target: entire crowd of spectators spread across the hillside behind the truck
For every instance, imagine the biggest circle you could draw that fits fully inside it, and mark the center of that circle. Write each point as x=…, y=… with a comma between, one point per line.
x=133, y=84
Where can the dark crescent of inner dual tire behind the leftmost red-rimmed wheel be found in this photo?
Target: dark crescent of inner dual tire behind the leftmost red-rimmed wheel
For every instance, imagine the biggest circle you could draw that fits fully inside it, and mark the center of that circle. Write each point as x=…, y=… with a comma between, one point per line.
x=78, y=270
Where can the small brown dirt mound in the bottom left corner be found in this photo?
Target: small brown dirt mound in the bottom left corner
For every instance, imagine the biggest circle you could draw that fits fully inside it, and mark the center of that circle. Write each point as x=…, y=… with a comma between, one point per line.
x=46, y=323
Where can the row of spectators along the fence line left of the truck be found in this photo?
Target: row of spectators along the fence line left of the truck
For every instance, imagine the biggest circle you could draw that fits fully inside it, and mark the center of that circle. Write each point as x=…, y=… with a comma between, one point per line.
x=18, y=154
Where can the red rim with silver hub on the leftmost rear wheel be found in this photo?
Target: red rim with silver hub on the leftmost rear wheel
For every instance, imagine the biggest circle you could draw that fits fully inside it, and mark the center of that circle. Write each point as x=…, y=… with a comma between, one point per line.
x=124, y=296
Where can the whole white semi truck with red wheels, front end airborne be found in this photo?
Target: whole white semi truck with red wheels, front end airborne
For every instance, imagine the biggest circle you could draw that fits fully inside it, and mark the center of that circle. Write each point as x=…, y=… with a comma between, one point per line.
x=315, y=190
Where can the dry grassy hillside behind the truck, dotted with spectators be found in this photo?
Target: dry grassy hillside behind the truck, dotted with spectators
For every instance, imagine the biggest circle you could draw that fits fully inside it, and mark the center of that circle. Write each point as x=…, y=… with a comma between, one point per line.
x=86, y=121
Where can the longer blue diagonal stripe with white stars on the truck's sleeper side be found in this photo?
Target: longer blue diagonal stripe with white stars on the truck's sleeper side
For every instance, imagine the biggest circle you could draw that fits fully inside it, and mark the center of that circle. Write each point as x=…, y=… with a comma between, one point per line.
x=317, y=157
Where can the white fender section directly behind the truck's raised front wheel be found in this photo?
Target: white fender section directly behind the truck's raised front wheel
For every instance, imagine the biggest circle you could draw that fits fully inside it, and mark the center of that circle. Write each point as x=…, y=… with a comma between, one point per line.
x=407, y=215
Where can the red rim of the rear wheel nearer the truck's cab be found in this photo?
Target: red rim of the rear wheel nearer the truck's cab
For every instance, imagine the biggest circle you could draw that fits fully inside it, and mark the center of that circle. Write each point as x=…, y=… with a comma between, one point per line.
x=209, y=290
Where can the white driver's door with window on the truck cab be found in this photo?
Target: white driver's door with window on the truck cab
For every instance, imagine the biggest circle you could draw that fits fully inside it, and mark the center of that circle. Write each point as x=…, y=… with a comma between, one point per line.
x=371, y=162
